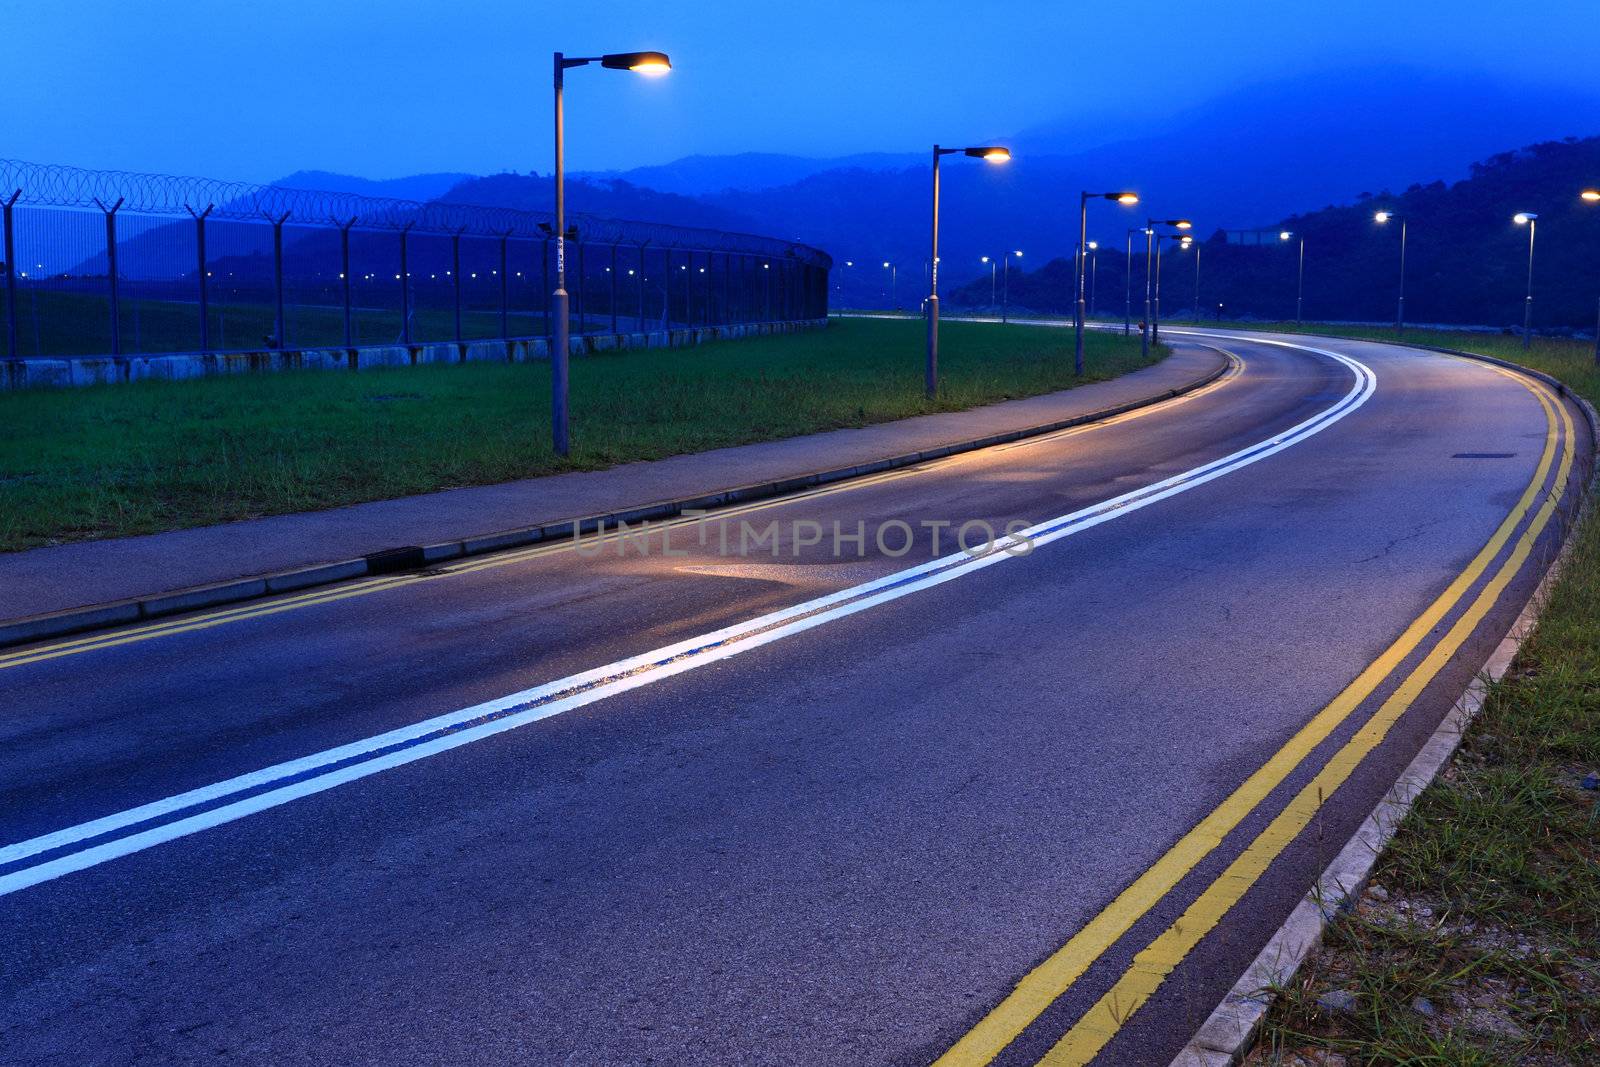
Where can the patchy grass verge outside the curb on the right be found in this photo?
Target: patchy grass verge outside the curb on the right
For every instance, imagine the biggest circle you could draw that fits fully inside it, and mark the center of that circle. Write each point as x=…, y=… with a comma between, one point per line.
x=1479, y=938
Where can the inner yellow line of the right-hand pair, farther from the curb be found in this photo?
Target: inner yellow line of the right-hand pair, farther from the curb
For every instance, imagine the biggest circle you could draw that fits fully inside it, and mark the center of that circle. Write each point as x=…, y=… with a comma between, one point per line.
x=1050, y=980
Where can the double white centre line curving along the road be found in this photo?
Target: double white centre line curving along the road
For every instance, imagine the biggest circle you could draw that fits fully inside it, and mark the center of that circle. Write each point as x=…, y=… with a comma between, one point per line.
x=326, y=770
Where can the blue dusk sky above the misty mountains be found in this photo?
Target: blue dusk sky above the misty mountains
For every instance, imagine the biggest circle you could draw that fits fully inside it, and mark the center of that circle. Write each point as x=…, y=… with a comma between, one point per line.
x=382, y=90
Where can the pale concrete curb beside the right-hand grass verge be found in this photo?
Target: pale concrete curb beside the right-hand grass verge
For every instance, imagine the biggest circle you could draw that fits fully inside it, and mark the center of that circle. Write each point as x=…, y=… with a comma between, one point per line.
x=1230, y=1033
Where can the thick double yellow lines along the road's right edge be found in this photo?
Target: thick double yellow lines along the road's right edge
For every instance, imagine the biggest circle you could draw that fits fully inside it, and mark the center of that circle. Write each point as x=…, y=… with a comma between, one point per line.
x=1052, y=978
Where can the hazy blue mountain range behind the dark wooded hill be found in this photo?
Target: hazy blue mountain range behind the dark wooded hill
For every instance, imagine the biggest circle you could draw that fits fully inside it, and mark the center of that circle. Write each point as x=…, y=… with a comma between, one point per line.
x=1238, y=161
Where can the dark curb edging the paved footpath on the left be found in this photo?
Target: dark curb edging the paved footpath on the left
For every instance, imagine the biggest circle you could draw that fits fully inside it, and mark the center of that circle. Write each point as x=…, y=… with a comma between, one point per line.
x=414, y=557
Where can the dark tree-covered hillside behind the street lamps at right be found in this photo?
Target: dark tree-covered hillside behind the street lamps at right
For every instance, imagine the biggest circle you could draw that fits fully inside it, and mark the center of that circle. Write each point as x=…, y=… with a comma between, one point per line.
x=1466, y=258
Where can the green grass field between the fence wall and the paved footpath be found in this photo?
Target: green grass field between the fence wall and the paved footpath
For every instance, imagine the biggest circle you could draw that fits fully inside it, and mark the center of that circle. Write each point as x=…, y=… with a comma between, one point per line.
x=138, y=458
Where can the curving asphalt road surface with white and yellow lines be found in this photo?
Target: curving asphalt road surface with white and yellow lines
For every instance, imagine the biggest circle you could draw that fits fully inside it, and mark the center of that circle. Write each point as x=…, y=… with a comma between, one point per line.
x=831, y=805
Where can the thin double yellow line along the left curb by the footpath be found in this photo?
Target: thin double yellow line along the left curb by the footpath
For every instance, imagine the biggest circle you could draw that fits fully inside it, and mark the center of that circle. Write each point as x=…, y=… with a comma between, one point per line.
x=186, y=625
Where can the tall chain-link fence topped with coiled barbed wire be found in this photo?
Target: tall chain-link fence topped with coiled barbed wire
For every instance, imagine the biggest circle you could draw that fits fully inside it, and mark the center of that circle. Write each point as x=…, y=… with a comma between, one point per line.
x=108, y=263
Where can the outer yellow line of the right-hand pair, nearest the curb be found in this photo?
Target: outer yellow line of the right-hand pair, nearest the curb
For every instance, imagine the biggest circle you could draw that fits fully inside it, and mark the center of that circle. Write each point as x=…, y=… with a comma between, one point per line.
x=1154, y=964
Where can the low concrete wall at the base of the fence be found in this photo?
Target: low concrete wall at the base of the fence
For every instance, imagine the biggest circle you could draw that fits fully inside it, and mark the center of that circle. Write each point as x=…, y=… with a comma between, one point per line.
x=102, y=370
